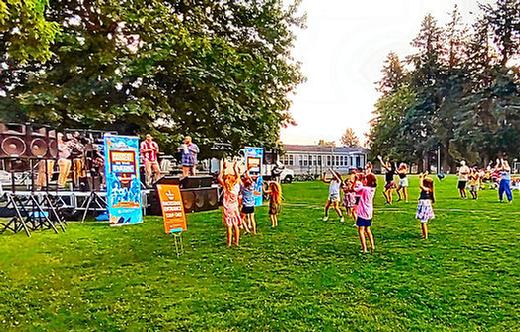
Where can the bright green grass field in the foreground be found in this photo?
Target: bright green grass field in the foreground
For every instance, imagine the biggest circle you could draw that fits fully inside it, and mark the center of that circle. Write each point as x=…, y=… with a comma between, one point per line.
x=304, y=275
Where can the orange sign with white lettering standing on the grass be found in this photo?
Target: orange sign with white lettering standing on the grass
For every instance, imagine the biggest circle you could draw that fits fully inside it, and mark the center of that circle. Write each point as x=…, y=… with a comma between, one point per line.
x=172, y=207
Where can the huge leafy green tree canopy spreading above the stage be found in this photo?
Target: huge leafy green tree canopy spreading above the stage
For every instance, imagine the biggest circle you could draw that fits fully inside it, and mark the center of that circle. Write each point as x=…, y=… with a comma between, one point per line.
x=219, y=71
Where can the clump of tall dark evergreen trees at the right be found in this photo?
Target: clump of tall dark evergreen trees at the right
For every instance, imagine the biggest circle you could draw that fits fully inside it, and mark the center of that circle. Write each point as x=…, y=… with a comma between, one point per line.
x=458, y=92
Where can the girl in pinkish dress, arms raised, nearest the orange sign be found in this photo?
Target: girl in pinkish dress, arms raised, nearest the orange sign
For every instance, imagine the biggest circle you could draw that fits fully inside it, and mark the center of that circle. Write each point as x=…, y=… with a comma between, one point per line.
x=230, y=212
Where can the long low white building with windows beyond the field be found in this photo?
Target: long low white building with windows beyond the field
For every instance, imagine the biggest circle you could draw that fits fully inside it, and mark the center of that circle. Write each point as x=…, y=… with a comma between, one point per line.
x=315, y=159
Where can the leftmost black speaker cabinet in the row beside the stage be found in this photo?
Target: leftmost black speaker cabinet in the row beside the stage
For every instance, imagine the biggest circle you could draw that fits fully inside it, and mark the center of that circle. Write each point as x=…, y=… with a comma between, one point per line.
x=12, y=140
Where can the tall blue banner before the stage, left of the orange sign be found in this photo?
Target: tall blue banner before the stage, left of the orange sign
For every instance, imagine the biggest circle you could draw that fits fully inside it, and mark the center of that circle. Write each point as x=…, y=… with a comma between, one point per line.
x=124, y=201
